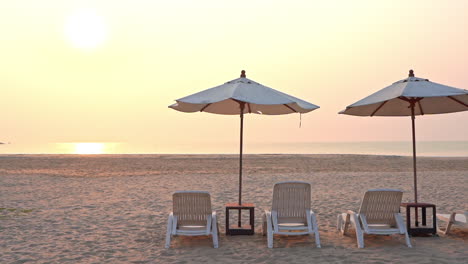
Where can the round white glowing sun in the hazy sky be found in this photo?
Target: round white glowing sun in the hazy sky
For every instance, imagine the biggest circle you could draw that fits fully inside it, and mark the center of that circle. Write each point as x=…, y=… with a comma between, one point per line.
x=85, y=29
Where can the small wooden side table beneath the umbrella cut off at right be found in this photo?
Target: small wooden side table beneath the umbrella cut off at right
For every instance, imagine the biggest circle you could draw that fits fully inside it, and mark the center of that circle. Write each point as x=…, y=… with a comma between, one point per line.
x=423, y=229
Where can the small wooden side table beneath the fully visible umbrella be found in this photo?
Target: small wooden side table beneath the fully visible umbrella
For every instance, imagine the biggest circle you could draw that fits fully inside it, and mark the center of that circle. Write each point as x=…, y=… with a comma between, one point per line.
x=239, y=229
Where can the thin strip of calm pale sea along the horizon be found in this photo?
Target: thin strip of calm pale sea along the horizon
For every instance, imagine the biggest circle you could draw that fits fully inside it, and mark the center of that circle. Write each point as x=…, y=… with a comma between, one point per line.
x=403, y=148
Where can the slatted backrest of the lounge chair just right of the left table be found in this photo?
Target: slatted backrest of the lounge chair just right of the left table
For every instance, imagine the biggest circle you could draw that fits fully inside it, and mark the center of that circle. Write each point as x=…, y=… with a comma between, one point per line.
x=291, y=199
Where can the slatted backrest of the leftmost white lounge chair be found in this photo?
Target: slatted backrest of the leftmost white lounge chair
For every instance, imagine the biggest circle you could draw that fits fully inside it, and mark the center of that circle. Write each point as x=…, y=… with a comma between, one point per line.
x=191, y=207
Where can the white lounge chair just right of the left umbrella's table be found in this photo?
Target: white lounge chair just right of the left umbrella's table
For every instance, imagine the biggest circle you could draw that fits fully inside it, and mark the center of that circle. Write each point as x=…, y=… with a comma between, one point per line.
x=291, y=213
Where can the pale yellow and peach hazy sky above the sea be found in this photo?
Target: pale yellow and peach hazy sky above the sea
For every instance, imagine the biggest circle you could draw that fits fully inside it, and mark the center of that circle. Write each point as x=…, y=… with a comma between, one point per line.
x=105, y=71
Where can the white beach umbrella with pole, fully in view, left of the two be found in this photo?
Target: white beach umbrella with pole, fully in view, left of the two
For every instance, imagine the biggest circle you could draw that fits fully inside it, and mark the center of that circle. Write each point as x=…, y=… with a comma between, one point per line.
x=242, y=96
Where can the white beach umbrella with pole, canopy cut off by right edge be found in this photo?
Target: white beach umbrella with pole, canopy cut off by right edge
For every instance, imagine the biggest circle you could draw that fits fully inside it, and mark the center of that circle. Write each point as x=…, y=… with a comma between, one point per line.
x=411, y=97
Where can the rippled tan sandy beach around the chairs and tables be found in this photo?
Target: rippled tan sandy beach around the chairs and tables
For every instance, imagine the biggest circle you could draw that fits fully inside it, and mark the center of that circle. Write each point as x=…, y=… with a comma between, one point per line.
x=114, y=208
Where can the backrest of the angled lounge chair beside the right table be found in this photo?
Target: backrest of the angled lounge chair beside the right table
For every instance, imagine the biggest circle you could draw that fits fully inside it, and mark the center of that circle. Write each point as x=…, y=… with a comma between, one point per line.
x=380, y=206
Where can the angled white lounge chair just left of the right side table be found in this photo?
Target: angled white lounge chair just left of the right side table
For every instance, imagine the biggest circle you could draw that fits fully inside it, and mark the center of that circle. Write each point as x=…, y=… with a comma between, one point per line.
x=378, y=215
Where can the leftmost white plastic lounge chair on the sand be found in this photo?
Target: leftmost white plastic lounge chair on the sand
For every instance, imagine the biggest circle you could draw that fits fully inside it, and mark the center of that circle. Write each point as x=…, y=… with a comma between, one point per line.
x=192, y=216
